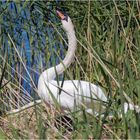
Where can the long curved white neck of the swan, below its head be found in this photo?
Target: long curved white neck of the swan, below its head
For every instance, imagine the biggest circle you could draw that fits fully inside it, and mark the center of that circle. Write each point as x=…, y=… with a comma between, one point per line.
x=51, y=73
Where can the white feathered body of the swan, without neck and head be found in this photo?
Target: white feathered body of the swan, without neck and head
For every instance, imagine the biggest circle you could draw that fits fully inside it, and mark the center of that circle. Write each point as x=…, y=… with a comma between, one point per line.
x=69, y=92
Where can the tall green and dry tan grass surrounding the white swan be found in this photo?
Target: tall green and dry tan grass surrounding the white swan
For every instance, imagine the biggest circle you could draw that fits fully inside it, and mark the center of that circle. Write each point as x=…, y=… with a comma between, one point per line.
x=108, y=34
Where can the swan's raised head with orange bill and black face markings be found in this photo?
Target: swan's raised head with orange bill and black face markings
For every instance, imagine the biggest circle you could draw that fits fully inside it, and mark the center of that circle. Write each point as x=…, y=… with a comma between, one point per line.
x=66, y=21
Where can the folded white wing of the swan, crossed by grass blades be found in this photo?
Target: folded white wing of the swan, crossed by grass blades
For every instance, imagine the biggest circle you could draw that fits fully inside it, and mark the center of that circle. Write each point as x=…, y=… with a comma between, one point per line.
x=79, y=91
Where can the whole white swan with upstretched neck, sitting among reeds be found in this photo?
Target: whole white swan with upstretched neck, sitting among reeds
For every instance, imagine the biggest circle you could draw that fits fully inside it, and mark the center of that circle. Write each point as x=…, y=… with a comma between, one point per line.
x=71, y=92
